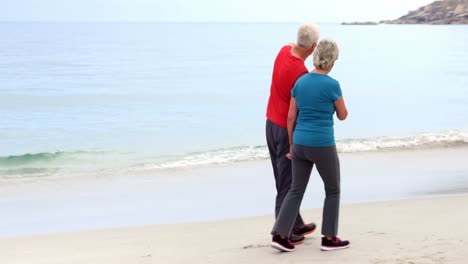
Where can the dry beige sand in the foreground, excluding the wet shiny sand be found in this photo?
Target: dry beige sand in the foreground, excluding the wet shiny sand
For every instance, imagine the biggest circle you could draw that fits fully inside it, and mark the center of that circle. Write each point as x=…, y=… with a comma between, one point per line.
x=421, y=230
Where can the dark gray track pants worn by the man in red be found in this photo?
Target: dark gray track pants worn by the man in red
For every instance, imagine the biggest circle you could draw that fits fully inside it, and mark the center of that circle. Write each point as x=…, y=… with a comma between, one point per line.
x=278, y=146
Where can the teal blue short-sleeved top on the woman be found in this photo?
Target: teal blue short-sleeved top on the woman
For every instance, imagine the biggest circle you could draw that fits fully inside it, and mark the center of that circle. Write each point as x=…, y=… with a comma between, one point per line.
x=315, y=96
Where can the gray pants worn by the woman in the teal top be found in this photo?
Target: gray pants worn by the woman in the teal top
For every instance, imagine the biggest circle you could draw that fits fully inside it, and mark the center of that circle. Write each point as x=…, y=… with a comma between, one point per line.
x=328, y=166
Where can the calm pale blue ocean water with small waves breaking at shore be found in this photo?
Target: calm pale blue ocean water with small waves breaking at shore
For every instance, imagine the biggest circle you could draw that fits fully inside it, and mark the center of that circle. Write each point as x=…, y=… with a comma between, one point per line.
x=119, y=98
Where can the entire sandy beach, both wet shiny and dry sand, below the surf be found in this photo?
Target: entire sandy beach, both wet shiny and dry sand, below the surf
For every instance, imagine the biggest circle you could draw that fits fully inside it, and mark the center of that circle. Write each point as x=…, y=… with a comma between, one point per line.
x=397, y=207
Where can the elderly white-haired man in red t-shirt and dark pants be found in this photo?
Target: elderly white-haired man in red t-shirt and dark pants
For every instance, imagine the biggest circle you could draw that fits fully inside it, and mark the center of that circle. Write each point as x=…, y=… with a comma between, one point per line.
x=289, y=66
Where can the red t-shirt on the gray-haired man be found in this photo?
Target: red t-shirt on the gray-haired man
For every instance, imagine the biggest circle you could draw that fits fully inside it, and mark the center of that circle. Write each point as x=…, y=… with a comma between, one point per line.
x=286, y=71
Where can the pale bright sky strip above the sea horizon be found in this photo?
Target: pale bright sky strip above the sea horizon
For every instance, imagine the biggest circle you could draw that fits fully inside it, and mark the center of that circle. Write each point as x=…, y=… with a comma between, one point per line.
x=207, y=10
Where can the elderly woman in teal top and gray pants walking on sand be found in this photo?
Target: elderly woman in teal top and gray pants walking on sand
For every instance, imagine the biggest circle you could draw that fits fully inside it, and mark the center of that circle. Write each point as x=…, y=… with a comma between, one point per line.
x=315, y=98
